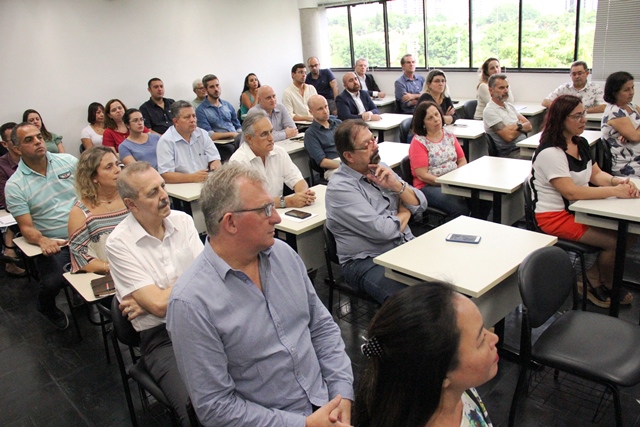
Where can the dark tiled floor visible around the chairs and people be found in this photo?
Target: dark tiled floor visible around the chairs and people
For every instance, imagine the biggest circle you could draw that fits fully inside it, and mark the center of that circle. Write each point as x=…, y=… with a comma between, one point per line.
x=50, y=378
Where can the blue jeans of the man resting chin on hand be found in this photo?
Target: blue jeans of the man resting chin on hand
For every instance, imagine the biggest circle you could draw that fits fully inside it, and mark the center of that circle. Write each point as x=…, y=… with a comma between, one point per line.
x=369, y=278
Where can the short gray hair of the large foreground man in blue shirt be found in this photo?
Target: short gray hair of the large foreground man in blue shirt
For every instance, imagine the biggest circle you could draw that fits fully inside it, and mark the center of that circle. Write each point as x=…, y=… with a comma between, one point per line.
x=221, y=192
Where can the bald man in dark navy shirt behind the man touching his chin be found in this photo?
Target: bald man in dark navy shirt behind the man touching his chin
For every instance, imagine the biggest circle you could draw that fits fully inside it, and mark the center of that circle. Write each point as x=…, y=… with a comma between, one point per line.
x=318, y=139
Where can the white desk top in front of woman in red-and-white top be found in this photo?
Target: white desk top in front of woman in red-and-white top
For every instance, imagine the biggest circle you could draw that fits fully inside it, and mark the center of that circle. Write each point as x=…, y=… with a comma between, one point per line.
x=487, y=173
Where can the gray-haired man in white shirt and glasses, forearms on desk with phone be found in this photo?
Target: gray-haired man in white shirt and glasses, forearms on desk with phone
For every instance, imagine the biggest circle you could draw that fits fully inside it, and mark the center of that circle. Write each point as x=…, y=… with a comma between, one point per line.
x=261, y=153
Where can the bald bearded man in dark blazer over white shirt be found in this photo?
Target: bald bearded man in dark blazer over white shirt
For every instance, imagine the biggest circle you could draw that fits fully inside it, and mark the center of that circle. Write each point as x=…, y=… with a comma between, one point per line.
x=354, y=103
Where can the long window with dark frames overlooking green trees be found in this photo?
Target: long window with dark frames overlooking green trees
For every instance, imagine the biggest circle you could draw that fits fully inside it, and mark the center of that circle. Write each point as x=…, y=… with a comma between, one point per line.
x=523, y=34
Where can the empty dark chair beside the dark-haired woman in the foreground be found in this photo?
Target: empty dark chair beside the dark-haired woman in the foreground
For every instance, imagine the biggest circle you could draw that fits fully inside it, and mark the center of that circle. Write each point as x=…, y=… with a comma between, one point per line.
x=592, y=346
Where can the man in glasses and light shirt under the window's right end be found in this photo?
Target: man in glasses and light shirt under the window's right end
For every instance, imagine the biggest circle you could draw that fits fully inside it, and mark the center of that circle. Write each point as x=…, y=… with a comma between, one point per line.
x=590, y=93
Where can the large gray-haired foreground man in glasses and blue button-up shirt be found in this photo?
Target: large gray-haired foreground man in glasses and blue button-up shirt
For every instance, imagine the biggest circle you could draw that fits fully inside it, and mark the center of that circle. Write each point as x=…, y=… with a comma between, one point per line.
x=253, y=341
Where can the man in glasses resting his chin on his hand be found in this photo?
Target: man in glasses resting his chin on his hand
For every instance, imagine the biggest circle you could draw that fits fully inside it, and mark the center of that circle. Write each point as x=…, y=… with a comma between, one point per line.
x=368, y=210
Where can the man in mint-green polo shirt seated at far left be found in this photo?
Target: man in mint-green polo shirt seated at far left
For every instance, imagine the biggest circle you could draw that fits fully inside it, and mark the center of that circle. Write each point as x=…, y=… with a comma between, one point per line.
x=40, y=195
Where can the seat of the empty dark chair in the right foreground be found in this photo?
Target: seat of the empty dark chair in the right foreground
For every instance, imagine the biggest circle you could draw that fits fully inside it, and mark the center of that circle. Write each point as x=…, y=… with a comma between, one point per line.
x=593, y=346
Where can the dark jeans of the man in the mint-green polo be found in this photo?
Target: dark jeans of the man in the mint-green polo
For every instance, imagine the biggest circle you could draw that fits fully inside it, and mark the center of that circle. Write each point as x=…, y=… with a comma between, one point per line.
x=50, y=270
